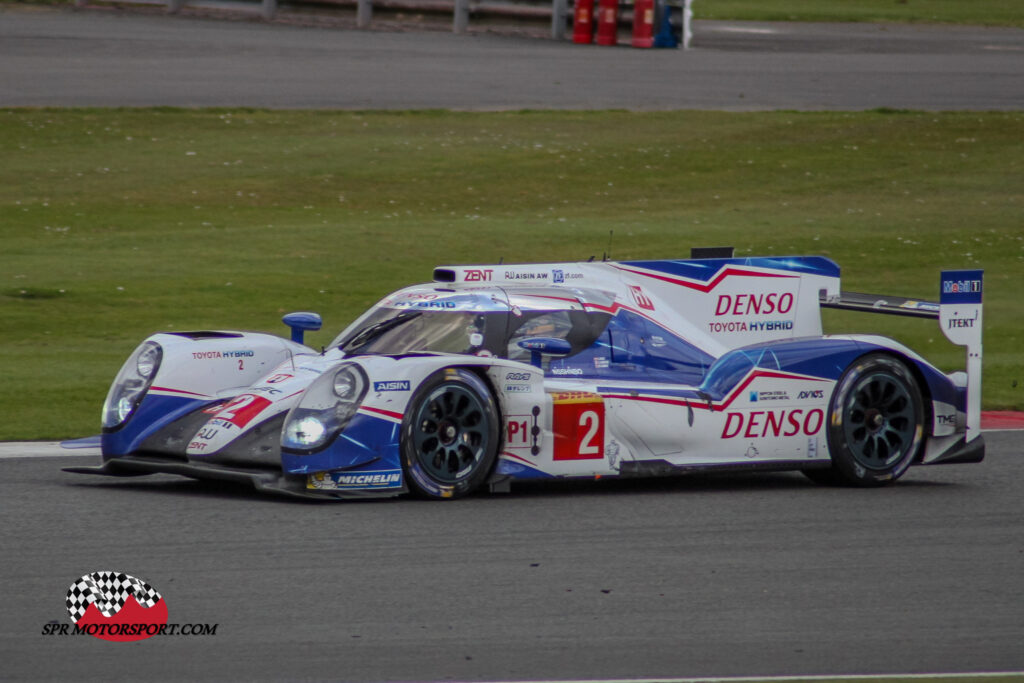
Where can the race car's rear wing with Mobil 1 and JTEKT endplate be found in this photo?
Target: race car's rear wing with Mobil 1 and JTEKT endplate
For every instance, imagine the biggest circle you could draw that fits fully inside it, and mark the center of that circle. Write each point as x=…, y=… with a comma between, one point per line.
x=959, y=313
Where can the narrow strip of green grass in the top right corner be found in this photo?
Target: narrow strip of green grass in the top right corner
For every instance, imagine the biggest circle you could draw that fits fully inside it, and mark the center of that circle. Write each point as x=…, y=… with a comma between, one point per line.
x=983, y=13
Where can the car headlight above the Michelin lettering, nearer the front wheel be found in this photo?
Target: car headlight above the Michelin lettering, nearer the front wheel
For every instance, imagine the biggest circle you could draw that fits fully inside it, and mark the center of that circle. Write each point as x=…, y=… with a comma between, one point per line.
x=325, y=410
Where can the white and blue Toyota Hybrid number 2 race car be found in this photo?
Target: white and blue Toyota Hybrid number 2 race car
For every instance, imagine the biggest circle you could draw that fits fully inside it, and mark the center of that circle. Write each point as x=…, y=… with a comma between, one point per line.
x=494, y=374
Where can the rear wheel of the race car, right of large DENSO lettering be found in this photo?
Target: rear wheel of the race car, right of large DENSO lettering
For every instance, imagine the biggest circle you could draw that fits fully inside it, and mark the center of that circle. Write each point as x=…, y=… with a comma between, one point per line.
x=876, y=423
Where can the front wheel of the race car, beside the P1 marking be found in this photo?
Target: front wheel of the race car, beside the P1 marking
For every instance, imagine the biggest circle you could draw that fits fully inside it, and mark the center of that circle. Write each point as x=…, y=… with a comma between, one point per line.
x=450, y=438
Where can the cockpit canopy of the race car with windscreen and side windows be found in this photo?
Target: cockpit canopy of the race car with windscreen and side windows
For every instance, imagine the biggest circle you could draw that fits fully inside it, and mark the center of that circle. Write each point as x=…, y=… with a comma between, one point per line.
x=606, y=341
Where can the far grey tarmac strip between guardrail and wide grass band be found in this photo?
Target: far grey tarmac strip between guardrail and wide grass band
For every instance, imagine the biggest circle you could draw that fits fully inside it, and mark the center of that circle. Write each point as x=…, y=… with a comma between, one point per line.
x=106, y=59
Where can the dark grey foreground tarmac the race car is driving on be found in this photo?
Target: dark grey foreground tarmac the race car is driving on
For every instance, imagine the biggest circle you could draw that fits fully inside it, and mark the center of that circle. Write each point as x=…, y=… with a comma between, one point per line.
x=705, y=576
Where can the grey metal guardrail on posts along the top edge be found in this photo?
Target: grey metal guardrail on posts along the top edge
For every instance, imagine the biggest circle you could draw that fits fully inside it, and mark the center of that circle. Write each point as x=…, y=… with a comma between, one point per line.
x=558, y=13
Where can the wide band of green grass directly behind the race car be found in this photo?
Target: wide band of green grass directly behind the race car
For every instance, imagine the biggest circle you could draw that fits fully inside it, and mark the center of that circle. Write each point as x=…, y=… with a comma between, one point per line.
x=116, y=224
